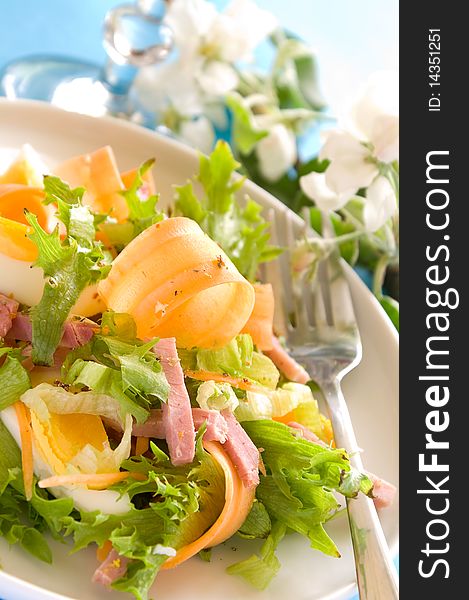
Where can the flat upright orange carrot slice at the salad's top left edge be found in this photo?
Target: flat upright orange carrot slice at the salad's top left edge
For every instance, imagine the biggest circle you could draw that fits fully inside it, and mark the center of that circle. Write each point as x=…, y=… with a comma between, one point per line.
x=97, y=172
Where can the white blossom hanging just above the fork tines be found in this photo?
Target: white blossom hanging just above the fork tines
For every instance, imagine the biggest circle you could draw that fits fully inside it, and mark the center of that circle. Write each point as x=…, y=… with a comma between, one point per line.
x=351, y=165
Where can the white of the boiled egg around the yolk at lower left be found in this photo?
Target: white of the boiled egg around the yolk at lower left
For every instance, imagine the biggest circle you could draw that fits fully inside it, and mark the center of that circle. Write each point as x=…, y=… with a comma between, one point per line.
x=106, y=501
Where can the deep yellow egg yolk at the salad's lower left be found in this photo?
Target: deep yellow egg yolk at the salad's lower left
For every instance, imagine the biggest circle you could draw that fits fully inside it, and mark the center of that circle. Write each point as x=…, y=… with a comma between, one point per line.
x=62, y=437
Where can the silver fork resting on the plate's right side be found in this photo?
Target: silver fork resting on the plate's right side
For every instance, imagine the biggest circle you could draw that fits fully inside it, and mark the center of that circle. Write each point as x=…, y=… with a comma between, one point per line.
x=318, y=321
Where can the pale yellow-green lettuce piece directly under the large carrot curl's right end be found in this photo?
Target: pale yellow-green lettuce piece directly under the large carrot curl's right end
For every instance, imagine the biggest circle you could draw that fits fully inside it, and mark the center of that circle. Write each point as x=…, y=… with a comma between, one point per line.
x=237, y=359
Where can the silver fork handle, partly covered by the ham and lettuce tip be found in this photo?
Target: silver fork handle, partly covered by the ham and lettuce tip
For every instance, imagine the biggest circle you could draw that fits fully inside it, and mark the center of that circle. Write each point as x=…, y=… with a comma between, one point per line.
x=376, y=574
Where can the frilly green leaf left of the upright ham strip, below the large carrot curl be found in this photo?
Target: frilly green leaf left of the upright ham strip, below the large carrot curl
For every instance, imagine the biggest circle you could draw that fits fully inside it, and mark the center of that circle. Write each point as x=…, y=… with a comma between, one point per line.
x=122, y=367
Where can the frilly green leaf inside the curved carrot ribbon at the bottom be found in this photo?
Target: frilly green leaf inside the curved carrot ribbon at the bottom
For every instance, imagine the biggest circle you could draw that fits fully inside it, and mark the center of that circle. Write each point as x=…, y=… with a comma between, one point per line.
x=187, y=501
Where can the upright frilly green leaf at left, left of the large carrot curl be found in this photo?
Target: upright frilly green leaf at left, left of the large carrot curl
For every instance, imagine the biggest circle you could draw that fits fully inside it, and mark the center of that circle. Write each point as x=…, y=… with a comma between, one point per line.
x=69, y=265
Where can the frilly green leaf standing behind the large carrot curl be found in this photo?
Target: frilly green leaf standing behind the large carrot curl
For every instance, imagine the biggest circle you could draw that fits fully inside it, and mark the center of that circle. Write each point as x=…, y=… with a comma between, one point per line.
x=241, y=231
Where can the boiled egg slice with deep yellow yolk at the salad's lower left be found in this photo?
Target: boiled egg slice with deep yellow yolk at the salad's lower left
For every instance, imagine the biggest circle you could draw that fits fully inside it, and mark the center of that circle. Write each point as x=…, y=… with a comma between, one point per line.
x=71, y=443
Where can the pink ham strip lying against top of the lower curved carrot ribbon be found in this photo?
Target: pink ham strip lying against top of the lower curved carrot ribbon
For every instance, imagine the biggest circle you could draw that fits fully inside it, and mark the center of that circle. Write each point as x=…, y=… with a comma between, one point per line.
x=241, y=450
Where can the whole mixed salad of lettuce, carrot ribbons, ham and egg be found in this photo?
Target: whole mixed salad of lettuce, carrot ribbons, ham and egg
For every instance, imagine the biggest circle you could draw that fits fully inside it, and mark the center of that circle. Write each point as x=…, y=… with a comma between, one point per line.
x=147, y=408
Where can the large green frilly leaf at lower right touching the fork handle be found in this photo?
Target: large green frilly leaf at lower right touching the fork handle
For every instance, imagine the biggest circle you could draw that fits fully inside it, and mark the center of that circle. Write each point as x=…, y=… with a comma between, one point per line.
x=300, y=477
